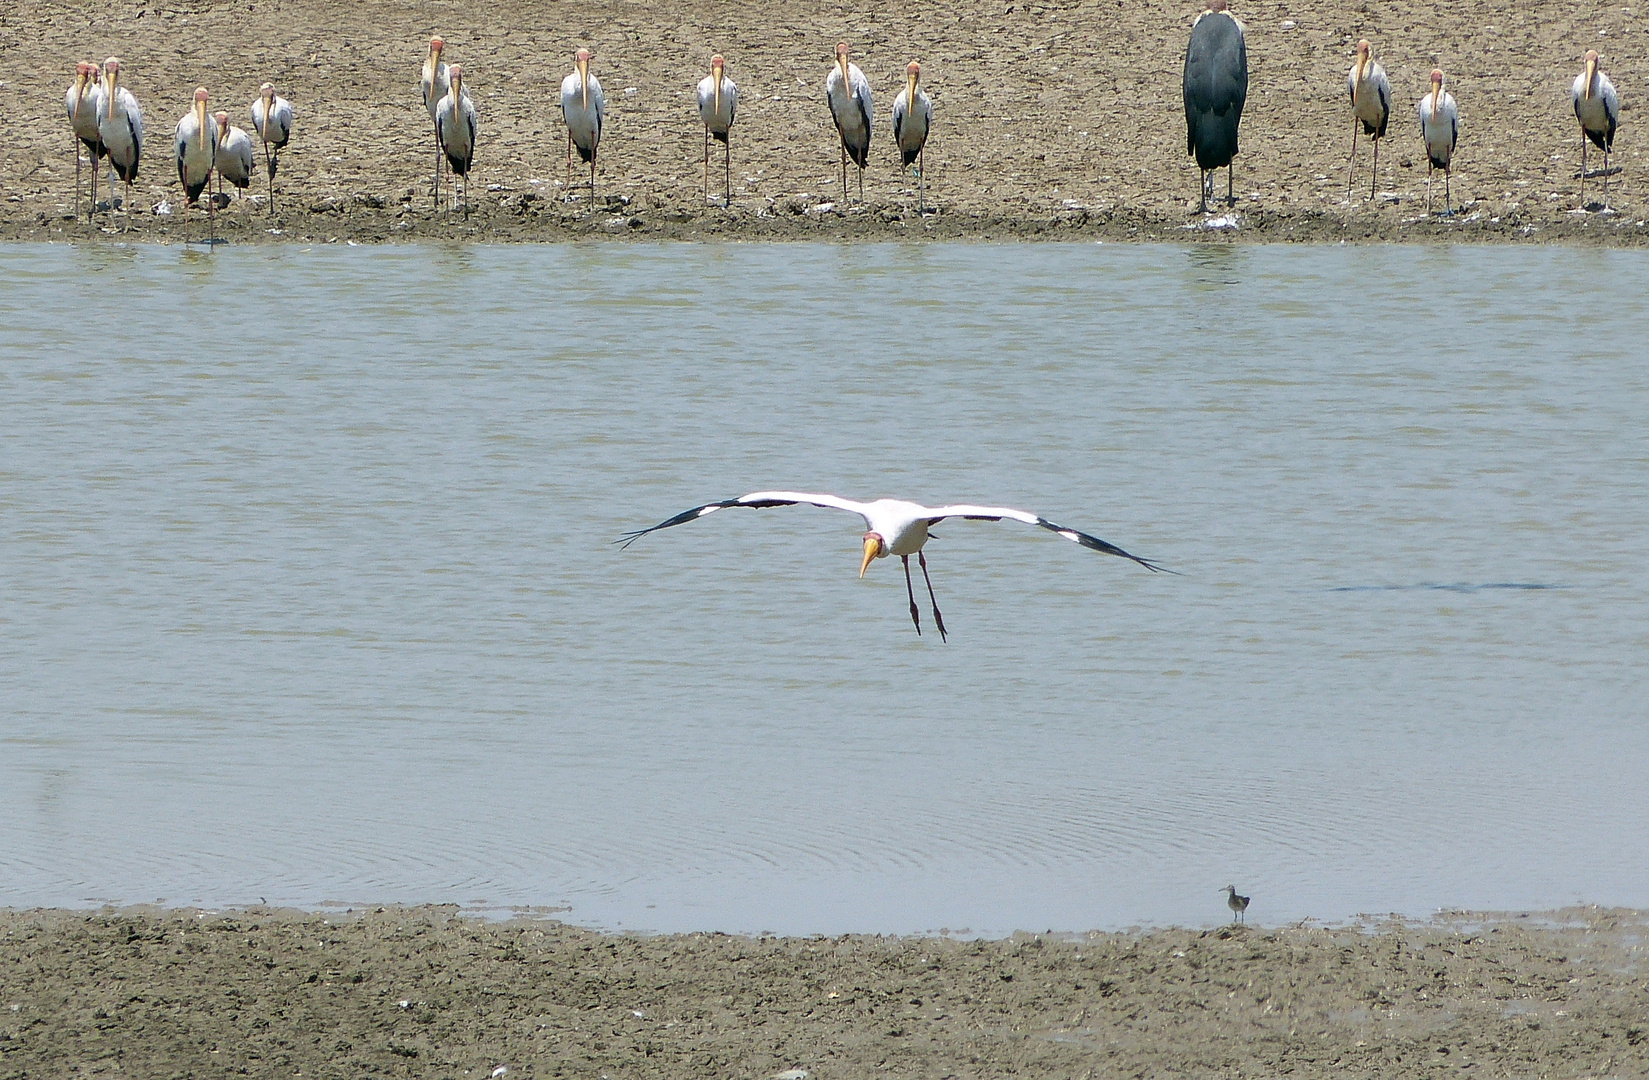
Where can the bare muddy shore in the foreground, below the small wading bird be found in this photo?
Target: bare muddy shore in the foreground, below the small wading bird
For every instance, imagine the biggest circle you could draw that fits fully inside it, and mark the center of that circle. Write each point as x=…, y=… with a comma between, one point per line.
x=430, y=993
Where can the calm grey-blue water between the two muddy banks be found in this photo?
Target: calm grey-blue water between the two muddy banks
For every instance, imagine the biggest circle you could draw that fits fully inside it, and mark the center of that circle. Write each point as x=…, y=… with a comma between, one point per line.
x=308, y=588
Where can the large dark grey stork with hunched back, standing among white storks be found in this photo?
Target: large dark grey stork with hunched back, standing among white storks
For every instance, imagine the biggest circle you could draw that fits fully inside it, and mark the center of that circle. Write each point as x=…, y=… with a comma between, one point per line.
x=1216, y=90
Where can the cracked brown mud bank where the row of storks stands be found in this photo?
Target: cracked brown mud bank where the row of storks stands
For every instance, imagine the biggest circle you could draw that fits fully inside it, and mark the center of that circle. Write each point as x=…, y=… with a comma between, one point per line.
x=1051, y=120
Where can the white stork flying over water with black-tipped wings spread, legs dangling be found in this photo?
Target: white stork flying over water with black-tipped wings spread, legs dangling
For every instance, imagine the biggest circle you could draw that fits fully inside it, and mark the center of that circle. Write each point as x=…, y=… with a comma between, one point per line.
x=895, y=528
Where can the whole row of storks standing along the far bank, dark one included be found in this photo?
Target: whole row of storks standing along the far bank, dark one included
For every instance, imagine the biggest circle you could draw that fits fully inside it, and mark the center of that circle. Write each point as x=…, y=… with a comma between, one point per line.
x=110, y=123
